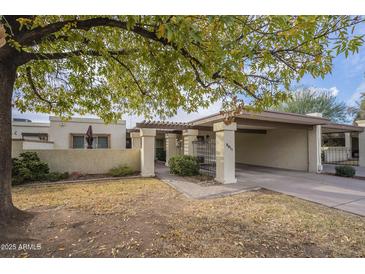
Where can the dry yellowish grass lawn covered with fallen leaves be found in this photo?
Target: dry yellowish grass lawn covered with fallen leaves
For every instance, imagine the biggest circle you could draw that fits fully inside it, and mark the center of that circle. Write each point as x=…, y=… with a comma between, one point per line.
x=146, y=218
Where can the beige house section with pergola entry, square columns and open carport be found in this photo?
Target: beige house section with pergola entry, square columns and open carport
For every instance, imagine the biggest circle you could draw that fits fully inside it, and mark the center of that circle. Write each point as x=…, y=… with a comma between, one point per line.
x=269, y=138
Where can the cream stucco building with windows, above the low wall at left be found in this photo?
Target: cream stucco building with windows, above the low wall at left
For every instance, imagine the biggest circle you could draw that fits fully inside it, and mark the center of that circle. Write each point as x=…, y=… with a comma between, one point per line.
x=58, y=134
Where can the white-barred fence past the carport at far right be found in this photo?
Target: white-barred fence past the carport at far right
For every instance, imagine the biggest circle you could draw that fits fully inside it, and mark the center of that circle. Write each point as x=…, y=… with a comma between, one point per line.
x=339, y=156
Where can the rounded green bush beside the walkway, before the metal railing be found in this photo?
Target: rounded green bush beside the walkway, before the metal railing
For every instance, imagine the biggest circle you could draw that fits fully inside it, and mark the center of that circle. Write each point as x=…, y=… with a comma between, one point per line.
x=184, y=165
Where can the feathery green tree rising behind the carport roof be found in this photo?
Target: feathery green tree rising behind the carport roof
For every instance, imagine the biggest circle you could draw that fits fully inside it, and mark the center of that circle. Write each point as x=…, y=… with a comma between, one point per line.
x=309, y=100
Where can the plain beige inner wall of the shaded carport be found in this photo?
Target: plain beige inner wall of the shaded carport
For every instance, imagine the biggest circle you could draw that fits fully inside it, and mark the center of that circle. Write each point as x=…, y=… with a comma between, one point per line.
x=280, y=148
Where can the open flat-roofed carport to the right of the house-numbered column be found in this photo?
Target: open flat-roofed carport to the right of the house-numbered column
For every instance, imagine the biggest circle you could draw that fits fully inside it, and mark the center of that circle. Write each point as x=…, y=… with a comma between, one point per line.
x=275, y=139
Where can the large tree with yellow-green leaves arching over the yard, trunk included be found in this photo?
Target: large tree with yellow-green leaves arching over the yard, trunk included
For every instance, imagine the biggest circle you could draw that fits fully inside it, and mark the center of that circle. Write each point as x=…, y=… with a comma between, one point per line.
x=153, y=65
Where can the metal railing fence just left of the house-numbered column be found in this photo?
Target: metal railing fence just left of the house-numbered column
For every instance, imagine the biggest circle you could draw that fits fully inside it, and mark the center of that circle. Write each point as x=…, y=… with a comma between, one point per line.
x=205, y=153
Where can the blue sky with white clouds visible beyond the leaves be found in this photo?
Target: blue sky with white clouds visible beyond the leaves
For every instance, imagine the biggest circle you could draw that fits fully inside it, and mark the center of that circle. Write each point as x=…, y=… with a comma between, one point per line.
x=347, y=82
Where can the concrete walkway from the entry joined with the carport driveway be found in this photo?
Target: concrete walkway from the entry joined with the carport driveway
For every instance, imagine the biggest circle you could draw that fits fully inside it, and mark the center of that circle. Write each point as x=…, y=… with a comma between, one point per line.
x=337, y=192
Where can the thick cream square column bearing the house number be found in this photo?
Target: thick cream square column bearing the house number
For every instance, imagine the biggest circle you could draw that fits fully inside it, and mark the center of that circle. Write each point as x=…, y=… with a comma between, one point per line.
x=225, y=152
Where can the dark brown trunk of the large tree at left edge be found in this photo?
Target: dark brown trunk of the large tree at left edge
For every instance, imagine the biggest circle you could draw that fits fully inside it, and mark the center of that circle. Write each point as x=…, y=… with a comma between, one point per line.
x=7, y=79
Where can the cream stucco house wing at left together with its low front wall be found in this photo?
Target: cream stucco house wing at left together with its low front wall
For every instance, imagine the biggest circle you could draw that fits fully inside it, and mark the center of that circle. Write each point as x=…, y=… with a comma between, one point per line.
x=62, y=144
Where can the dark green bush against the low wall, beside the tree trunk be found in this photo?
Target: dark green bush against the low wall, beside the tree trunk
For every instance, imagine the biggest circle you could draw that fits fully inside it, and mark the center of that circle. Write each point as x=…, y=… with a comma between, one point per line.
x=28, y=168
